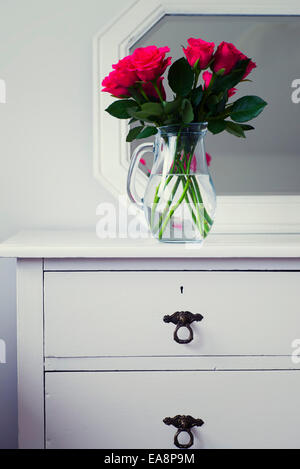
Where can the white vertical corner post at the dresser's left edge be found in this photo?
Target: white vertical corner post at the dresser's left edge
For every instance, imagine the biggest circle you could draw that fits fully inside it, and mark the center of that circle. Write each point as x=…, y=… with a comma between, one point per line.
x=30, y=353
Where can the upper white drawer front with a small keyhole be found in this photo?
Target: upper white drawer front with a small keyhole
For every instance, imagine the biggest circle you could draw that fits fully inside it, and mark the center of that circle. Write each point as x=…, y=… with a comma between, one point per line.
x=121, y=313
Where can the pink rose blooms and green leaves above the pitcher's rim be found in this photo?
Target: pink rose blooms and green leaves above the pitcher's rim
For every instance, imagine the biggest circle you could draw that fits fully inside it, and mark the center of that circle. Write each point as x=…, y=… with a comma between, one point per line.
x=202, y=82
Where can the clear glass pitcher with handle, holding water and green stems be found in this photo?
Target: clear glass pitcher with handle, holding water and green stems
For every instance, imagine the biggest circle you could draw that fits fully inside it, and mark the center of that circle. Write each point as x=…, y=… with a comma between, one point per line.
x=180, y=199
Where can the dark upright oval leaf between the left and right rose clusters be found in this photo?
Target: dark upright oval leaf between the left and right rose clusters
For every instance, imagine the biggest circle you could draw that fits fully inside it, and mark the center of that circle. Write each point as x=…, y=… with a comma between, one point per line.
x=181, y=77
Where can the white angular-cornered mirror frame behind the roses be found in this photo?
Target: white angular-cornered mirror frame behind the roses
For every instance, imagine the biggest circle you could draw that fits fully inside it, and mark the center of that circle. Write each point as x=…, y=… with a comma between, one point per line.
x=252, y=214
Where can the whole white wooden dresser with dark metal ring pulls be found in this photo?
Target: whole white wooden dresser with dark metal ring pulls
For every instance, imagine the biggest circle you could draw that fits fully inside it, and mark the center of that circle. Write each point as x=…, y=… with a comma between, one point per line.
x=102, y=365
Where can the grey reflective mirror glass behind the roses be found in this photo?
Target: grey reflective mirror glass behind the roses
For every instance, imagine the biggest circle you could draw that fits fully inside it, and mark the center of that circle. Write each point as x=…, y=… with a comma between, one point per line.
x=268, y=161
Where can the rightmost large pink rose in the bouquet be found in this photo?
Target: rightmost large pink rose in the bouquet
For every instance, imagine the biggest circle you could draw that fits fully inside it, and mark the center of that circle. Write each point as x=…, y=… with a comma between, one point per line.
x=227, y=56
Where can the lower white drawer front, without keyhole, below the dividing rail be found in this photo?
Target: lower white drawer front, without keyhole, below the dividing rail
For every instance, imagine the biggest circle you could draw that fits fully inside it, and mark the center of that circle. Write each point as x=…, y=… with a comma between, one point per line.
x=126, y=410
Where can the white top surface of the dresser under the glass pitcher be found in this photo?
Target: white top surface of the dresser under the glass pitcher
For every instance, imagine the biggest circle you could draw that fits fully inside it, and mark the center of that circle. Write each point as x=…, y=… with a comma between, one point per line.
x=86, y=244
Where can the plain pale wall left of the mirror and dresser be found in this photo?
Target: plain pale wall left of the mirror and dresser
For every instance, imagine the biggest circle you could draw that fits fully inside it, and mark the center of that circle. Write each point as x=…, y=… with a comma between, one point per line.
x=45, y=139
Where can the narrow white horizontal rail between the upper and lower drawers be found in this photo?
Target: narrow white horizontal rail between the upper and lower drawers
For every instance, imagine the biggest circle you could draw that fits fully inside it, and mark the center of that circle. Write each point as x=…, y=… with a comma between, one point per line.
x=200, y=363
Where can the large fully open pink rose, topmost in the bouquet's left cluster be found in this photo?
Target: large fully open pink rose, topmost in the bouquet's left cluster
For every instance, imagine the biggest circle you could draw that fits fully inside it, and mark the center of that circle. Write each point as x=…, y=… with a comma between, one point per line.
x=150, y=62
